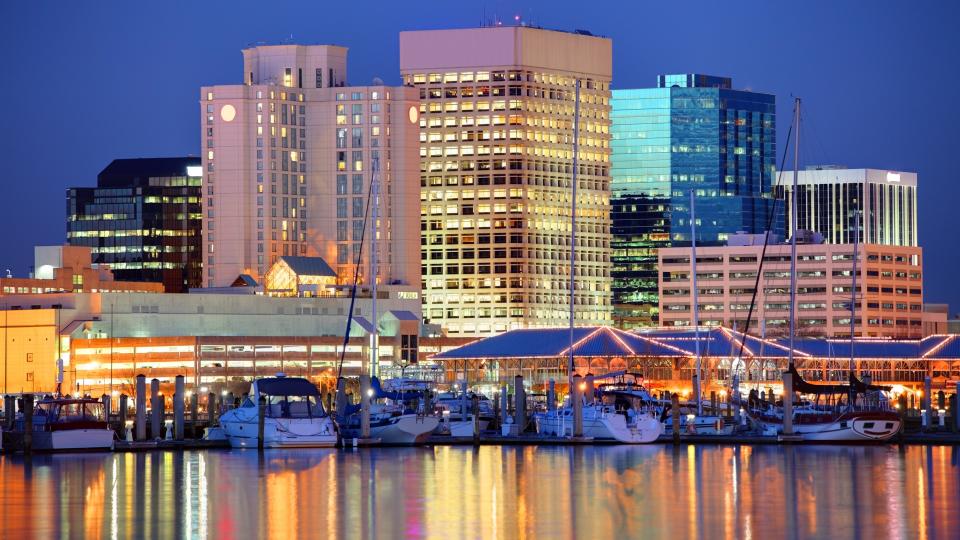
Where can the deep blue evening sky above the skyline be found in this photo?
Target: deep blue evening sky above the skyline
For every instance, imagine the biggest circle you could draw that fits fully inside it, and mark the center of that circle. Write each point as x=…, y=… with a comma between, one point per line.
x=86, y=82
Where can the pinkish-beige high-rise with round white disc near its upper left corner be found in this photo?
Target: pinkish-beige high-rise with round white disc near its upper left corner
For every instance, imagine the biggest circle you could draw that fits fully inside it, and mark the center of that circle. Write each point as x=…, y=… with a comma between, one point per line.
x=288, y=158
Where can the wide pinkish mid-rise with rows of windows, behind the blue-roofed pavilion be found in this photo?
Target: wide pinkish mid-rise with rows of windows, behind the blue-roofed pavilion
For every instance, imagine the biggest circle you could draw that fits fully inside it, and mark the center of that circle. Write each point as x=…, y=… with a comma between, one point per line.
x=889, y=293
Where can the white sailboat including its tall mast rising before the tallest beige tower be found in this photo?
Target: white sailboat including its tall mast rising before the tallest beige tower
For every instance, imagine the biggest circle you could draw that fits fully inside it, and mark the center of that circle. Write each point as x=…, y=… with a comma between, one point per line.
x=600, y=421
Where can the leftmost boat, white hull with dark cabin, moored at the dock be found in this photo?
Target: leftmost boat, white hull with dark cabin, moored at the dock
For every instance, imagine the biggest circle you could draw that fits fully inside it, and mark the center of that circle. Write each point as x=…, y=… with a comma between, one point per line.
x=64, y=424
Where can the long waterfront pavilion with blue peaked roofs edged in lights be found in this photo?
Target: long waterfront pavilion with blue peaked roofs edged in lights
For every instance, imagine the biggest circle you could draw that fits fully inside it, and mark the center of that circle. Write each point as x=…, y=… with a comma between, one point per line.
x=666, y=357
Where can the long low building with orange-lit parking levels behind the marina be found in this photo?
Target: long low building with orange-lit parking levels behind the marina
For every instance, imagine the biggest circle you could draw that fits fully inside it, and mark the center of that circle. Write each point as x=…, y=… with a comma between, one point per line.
x=106, y=339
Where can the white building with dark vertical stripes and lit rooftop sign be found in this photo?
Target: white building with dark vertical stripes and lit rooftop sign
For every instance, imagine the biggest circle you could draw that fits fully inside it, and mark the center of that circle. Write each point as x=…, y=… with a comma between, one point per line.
x=832, y=199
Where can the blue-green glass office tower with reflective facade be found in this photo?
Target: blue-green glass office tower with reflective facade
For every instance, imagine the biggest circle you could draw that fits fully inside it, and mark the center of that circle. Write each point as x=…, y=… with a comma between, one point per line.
x=691, y=132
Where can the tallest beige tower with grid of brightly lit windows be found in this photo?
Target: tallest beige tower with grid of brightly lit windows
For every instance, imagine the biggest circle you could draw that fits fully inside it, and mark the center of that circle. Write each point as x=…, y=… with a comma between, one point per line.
x=496, y=163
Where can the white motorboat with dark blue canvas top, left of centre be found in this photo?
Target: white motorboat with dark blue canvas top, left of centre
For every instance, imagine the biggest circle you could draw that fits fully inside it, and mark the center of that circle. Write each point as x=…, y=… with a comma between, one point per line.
x=294, y=416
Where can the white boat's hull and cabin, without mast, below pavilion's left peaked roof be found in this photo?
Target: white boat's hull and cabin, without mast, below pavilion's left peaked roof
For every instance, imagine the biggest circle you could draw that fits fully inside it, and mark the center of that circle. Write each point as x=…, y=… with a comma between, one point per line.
x=602, y=422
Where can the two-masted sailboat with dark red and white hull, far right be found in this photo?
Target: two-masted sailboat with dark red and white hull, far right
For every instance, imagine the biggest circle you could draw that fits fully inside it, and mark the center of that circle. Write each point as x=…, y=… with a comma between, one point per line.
x=866, y=414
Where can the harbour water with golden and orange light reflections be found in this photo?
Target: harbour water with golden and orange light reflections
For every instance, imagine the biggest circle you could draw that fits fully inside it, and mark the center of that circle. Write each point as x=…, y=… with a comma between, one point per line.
x=489, y=492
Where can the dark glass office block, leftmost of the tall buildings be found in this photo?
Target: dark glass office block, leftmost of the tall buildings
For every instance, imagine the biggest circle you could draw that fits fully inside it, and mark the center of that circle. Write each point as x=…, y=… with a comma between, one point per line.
x=142, y=219
